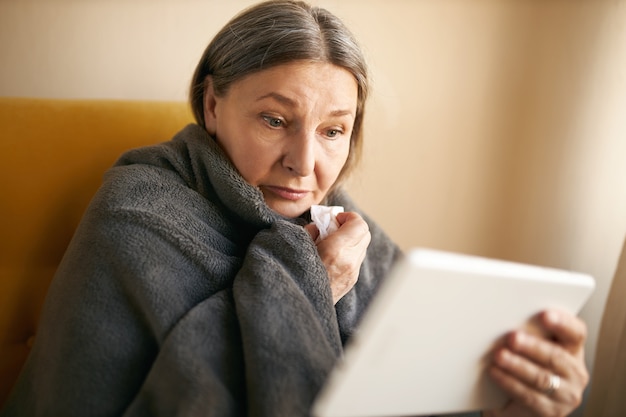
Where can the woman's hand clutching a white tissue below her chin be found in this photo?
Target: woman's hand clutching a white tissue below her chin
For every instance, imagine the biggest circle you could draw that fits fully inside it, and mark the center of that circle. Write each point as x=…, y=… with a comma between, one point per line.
x=343, y=251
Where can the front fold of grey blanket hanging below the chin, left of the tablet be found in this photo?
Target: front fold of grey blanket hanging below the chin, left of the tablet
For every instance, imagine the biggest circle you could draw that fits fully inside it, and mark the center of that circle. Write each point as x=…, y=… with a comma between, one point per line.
x=283, y=288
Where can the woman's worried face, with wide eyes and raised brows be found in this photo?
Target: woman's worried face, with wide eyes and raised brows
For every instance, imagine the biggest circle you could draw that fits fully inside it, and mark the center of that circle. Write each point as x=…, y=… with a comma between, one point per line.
x=287, y=130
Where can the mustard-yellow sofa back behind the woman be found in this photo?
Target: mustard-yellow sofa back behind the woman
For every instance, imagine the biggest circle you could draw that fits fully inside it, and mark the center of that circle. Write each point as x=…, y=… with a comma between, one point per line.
x=52, y=157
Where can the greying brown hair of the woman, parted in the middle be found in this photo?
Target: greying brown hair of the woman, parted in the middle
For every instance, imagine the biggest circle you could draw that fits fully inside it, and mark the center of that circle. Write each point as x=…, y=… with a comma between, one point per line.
x=278, y=32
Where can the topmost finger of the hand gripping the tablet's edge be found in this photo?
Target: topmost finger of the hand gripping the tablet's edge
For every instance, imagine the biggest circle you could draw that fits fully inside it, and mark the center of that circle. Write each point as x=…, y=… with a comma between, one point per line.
x=568, y=329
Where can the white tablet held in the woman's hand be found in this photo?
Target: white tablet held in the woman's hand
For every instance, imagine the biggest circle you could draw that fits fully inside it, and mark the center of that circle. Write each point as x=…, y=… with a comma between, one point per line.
x=422, y=345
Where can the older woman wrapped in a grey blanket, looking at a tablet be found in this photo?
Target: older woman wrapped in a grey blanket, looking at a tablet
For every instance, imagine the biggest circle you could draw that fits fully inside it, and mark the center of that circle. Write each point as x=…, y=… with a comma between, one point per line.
x=196, y=283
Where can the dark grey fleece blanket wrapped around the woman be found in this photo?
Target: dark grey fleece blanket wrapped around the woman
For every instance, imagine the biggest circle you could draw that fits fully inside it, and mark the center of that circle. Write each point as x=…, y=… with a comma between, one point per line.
x=182, y=293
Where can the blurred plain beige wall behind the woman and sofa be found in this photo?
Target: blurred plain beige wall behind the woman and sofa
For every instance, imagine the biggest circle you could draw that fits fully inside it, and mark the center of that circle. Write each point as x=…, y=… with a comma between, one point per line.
x=495, y=128
